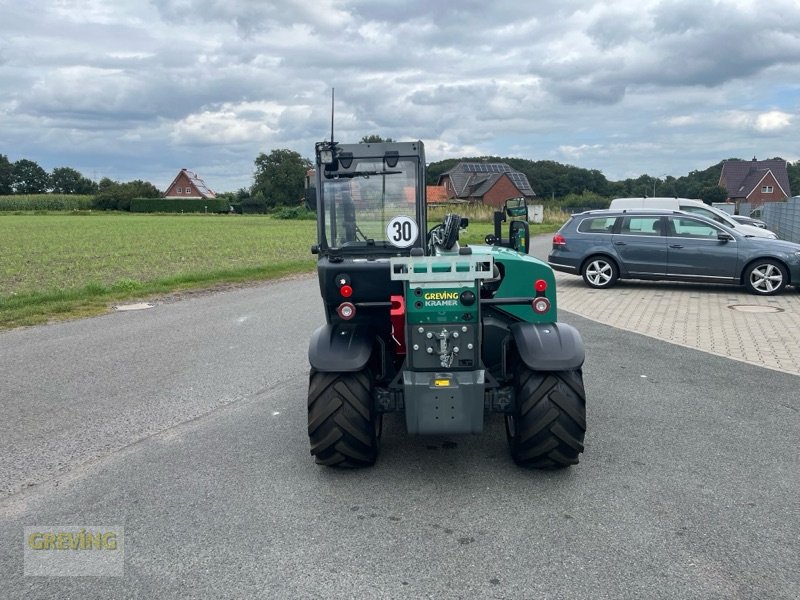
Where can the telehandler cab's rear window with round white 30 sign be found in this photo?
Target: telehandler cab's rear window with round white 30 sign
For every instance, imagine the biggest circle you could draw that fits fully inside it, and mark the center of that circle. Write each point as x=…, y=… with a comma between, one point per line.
x=371, y=204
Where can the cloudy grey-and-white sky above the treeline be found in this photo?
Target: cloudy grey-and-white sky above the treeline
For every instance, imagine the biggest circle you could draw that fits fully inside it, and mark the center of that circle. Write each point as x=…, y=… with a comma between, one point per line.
x=137, y=89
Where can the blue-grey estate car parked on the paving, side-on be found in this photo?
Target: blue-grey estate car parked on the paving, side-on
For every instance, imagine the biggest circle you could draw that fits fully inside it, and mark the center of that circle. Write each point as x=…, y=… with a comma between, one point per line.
x=605, y=245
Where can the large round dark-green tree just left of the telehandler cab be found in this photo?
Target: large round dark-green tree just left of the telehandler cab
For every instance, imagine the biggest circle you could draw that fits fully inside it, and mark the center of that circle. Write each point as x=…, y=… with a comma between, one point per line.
x=280, y=177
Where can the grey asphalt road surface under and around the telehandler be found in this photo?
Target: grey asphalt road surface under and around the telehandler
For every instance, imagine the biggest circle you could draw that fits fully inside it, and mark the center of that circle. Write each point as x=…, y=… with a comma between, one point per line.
x=186, y=424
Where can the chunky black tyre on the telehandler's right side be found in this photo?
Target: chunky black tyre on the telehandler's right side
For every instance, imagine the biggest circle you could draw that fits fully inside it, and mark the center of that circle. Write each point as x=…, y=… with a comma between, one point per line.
x=547, y=428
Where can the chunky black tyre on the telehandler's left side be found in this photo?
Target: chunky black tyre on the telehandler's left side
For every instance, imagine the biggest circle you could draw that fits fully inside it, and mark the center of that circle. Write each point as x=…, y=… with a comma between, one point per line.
x=343, y=426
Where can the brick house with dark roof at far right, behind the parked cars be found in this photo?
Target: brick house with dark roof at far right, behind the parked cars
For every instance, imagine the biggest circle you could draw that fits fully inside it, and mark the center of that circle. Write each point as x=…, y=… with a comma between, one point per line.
x=755, y=181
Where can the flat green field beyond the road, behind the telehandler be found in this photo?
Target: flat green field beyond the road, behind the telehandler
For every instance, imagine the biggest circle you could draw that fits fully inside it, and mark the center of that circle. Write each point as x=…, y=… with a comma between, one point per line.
x=64, y=265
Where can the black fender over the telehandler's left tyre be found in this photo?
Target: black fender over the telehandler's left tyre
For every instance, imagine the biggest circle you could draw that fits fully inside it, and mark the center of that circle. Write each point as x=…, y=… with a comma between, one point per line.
x=340, y=347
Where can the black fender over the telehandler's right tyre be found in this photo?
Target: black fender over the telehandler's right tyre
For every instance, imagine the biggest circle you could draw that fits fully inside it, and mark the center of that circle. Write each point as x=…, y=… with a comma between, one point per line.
x=549, y=346
